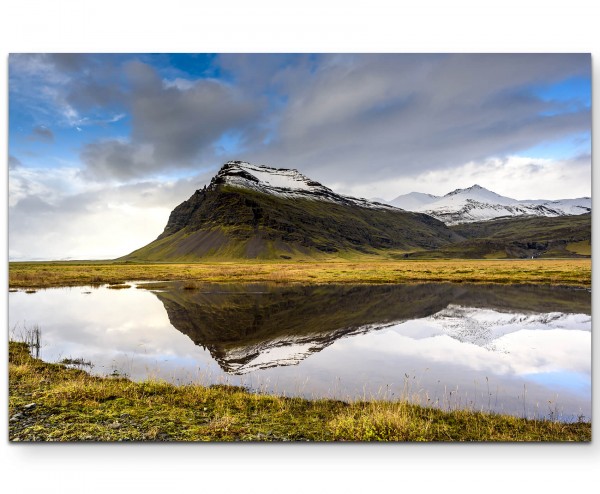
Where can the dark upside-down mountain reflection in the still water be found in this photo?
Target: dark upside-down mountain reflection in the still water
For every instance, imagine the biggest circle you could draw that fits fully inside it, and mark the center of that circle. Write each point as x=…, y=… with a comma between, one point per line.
x=255, y=326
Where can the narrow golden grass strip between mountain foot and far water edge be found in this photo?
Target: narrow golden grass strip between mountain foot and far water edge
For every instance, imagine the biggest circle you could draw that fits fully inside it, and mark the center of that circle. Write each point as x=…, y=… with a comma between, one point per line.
x=573, y=272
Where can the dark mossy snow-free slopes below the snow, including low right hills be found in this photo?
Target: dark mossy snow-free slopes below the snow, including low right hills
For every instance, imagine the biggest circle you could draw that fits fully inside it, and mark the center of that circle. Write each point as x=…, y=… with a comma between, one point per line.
x=222, y=223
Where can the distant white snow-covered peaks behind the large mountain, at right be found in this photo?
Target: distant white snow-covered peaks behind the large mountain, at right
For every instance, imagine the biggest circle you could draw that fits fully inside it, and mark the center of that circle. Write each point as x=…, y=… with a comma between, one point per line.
x=479, y=204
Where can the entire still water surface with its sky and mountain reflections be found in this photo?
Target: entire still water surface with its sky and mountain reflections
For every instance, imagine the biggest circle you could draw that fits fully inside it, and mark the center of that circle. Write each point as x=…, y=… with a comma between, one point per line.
x=522, y=350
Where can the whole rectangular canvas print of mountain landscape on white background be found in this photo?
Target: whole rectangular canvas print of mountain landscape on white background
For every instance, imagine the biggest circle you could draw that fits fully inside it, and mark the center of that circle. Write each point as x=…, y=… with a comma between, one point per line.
x=299, y=247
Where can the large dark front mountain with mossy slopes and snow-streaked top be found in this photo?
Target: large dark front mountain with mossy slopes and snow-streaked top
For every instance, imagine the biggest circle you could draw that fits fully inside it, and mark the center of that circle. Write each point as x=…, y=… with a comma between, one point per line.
x=250, y=211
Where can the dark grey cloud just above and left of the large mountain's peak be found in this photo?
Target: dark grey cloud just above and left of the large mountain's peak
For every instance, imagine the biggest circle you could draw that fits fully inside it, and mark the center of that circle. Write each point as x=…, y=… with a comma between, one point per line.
x=172, y=127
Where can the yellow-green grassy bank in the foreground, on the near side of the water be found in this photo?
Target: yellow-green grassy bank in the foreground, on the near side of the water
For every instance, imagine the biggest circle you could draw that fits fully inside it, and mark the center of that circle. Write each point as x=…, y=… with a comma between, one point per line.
x=50, y=402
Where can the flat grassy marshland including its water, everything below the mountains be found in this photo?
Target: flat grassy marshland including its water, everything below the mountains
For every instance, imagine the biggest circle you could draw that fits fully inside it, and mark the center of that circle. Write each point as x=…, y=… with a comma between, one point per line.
x=382, y=350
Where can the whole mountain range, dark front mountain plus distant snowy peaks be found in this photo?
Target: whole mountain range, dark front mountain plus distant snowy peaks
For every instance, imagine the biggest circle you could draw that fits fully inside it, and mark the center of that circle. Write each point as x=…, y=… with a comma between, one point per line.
x=256, y=212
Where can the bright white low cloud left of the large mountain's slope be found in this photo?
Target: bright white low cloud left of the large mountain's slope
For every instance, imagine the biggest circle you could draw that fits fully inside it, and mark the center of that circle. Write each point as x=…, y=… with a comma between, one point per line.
x=56, y=214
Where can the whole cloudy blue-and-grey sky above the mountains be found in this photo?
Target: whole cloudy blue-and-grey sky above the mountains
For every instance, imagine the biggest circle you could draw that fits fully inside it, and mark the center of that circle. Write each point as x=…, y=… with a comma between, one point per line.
x=103, y=146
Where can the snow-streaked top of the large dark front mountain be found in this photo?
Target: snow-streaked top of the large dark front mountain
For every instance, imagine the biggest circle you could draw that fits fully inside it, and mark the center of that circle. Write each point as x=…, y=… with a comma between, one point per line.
x=282, y=182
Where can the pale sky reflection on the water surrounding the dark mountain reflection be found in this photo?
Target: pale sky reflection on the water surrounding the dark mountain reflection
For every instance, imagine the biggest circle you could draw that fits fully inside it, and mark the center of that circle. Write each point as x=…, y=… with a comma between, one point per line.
x=460, y=356
